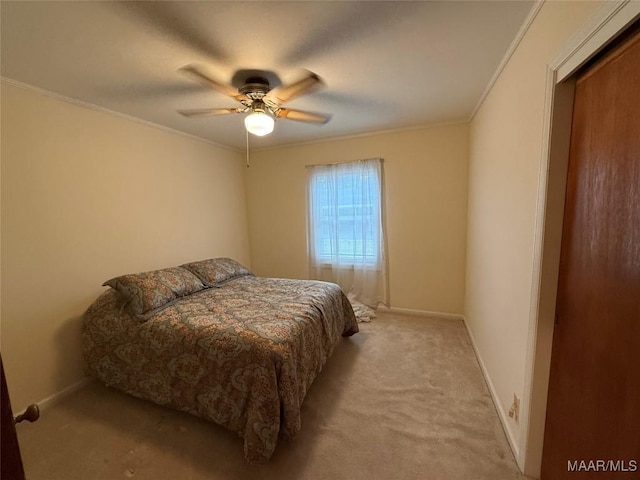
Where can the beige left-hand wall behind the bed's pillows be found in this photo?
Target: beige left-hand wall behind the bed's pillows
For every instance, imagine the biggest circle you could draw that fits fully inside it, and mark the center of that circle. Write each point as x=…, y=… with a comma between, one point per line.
x=86, y=196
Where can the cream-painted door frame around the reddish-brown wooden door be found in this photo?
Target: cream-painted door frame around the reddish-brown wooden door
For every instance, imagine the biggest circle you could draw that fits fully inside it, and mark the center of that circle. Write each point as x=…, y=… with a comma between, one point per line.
x=602, y=28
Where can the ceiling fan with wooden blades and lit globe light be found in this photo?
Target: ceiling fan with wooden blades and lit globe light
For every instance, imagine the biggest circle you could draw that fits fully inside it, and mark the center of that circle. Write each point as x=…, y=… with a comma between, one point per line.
x=257, y=97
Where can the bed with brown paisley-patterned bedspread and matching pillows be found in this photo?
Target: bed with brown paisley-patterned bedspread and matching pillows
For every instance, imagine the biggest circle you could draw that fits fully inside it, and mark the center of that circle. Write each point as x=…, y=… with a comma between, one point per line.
x=211, y=339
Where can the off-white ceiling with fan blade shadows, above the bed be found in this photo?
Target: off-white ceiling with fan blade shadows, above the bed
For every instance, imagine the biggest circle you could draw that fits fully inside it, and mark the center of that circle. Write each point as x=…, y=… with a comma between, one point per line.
x=386, y=65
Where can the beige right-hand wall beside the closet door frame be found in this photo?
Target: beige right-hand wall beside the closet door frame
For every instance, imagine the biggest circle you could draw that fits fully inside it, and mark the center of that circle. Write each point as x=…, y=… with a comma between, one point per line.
x=505, y=159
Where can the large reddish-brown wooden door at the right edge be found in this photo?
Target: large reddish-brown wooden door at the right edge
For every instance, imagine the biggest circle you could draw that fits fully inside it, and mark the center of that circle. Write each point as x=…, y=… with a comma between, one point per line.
x=593, y=409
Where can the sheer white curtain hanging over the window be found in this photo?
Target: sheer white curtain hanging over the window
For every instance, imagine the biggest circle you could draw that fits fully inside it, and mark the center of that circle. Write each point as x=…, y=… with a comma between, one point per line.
x=346, y=238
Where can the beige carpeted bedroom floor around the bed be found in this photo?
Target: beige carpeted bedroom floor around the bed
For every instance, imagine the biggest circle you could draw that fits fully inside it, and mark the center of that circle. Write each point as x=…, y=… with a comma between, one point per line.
x=402, y=399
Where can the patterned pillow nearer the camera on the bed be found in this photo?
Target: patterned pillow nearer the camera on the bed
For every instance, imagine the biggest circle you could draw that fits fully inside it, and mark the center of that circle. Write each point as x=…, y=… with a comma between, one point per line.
x=149, y=292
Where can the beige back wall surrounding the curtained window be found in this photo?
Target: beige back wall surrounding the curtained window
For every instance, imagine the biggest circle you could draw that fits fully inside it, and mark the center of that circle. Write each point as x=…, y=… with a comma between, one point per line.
x=426, y=196
